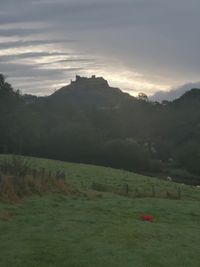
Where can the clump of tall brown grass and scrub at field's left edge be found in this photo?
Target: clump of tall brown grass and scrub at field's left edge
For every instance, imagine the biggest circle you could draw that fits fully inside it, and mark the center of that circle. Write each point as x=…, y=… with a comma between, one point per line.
x=18, y=180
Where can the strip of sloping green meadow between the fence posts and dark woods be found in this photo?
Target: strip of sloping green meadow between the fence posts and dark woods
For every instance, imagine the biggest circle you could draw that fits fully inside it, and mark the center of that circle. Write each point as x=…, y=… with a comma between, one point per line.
x=85, y=178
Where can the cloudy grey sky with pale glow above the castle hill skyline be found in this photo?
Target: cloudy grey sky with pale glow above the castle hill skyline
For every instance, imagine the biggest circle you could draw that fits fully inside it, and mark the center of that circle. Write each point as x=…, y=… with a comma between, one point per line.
x=137, y=45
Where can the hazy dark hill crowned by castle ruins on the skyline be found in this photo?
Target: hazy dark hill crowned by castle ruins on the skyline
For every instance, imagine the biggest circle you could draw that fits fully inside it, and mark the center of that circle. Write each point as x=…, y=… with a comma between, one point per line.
x=94, y=91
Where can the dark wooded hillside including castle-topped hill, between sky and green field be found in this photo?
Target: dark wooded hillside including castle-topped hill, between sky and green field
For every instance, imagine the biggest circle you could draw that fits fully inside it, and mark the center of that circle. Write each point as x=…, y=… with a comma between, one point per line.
x=90, y=122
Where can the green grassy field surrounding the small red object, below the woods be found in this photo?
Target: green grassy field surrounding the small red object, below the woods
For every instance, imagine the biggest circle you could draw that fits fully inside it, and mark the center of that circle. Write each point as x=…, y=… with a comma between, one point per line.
x=101, y=228
